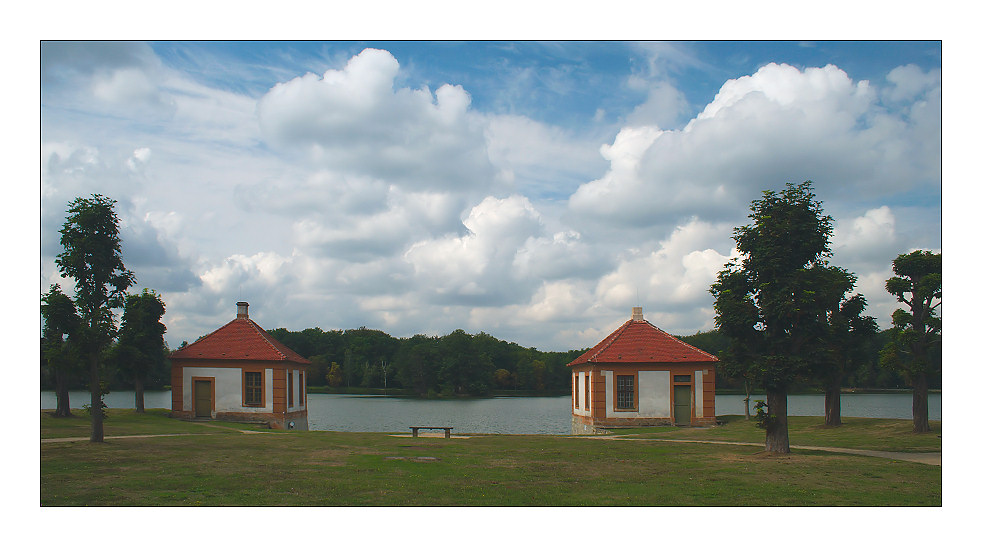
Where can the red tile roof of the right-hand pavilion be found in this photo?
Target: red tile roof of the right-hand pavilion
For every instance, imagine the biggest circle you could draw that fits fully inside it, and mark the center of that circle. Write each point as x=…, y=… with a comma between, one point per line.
x=638, y=341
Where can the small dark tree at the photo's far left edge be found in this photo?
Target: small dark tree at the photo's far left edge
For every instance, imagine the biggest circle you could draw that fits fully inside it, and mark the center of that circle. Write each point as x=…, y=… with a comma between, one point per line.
x=60, y=321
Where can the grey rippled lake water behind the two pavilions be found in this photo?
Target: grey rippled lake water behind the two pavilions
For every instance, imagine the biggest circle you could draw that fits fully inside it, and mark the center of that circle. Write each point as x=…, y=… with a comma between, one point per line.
x=510, y=415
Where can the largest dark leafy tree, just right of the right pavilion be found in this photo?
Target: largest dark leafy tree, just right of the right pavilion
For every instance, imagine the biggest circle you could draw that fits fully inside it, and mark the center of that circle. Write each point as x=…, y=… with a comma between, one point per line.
x=771, y=303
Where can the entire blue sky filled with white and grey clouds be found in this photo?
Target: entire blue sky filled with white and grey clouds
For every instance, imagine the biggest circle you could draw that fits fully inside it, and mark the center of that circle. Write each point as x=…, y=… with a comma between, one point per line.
x=535, y=191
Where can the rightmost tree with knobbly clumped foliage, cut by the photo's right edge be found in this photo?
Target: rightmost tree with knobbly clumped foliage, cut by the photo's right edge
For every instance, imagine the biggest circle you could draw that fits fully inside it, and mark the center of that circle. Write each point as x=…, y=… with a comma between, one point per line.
x=917, y=333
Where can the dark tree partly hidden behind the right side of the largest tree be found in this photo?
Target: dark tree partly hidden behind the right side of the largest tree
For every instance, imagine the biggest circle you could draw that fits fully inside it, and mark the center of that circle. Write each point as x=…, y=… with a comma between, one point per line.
x=847, y=343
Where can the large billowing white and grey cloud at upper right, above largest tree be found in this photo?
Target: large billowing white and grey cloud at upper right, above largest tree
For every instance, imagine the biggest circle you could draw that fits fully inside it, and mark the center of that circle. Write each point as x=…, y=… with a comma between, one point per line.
x=775, y=126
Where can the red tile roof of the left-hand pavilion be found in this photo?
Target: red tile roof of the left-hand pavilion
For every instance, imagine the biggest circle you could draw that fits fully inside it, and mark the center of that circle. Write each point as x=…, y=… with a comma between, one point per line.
x=240, y=339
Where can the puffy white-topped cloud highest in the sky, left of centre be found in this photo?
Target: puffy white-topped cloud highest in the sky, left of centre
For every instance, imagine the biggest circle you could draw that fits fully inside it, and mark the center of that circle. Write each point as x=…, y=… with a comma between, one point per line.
x=355, y=121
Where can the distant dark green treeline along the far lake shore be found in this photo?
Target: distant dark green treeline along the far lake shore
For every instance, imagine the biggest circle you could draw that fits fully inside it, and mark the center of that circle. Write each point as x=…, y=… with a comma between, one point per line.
x=458, y=363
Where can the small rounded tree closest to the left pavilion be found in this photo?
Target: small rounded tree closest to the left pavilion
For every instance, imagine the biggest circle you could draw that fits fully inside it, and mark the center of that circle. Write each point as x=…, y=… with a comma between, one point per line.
x=141, y=345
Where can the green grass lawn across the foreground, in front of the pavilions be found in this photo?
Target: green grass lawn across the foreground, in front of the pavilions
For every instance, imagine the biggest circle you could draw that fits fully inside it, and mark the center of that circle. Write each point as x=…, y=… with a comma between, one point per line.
x=226, y=467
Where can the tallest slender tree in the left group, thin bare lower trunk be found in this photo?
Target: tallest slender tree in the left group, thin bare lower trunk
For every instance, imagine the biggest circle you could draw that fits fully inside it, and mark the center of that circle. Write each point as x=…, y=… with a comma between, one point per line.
x=92, y=256
